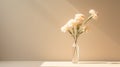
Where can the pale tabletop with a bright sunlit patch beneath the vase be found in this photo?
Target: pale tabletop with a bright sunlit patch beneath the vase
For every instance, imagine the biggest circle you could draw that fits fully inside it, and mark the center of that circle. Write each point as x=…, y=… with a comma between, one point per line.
x=59, y=64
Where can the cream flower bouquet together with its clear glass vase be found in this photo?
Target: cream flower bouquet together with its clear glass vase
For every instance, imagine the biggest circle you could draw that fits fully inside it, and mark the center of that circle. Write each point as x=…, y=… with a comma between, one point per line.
x=75, y=27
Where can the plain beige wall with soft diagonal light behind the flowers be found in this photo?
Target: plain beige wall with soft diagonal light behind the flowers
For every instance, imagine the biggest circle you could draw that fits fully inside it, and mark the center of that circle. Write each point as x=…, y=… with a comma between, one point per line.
x=30, y=30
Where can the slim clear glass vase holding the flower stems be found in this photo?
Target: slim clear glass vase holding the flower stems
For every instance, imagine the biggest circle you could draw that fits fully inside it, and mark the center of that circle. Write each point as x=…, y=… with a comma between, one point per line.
x=75, y=57
